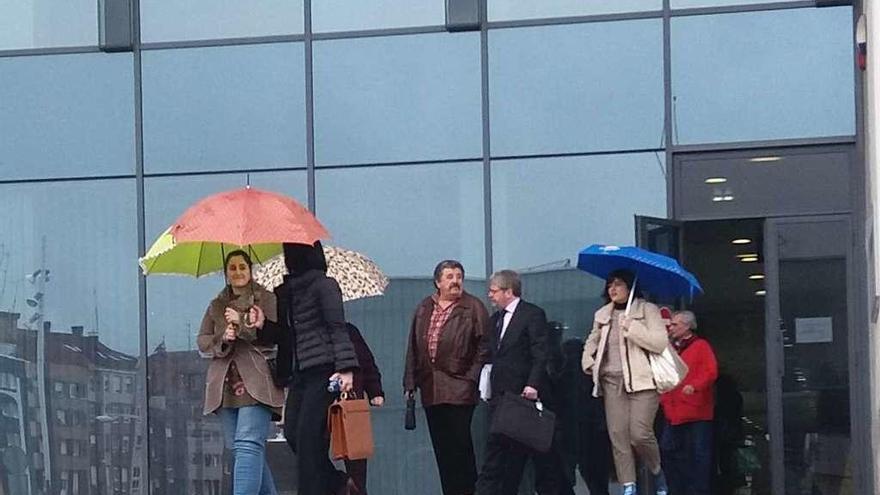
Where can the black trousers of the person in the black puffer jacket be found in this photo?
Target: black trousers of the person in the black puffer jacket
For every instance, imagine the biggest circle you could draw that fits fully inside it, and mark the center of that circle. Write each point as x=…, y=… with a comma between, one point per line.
x=305, y=428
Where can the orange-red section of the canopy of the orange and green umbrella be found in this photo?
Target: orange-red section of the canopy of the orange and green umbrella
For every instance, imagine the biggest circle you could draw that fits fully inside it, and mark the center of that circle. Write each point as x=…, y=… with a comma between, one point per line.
x=248, y=216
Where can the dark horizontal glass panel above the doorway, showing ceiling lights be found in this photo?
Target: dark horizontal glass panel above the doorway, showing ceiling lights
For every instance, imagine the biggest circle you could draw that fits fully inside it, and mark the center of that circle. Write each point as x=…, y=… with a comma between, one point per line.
x=763, y=183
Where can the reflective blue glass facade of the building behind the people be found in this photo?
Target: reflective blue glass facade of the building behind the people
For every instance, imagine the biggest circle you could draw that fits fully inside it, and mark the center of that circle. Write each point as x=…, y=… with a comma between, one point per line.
x=512, y=150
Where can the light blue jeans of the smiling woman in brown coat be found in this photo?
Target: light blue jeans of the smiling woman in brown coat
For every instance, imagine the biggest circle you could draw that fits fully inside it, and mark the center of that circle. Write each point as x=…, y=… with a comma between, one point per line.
x=246, y=429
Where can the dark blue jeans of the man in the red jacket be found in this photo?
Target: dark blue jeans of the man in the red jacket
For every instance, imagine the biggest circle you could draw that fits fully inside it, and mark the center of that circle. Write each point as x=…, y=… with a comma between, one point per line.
x=687, y=457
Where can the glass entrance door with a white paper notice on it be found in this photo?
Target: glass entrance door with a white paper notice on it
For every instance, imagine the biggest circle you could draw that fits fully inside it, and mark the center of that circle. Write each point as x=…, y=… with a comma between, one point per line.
x=807, y=260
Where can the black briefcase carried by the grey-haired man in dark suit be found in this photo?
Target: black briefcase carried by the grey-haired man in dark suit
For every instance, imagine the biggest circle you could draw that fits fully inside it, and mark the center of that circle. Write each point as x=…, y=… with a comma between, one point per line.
x=524, y=421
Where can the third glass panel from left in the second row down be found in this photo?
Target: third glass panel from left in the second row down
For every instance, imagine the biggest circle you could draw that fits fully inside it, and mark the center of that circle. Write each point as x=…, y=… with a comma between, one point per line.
x=400, y=98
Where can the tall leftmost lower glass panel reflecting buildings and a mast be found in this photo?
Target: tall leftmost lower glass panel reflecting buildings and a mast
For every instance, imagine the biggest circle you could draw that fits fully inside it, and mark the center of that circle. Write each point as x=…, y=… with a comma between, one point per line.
x=69, y=338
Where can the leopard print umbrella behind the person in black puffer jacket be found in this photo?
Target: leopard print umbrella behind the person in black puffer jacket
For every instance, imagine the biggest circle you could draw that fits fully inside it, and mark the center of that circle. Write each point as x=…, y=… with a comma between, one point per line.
x=358, y=276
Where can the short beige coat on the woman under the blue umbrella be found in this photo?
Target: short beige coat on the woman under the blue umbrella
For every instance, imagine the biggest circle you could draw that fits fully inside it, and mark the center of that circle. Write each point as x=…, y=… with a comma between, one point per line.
x=647, y=332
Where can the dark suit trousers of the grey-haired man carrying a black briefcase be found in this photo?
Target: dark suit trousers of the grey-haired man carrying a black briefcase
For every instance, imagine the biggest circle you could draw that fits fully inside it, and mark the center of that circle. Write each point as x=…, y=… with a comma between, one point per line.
x=504, y=464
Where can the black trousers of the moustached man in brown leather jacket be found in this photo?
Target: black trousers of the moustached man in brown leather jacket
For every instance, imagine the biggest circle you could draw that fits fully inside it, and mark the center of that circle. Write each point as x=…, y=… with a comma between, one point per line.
x=450, y=428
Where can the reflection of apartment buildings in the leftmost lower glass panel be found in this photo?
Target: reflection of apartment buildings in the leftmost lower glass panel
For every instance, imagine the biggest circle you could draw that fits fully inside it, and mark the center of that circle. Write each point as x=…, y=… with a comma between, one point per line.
x=91, y=400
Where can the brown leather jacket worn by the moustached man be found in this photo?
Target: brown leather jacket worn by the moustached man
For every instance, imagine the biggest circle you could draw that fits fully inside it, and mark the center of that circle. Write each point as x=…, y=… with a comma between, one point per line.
x=461, y=352
